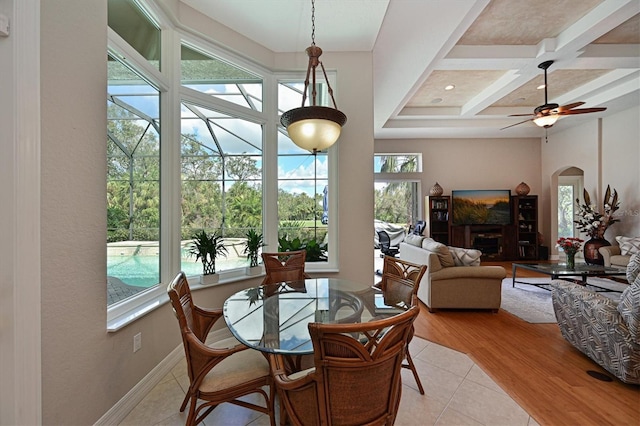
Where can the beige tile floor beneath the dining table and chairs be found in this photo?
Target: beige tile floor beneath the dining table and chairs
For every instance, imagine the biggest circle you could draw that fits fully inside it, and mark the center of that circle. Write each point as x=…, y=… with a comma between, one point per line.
x=457, y=392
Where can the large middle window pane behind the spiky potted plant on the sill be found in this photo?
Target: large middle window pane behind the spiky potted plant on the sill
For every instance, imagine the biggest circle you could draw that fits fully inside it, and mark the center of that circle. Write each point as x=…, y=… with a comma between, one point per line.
x=221, y=181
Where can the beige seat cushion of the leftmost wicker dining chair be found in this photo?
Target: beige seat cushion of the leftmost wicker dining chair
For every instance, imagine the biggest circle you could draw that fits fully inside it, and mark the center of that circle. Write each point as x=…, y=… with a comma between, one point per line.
x=234, y=370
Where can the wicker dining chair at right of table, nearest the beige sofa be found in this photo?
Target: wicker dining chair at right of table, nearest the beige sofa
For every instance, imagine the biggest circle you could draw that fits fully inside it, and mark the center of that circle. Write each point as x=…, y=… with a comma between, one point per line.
x=399, y=285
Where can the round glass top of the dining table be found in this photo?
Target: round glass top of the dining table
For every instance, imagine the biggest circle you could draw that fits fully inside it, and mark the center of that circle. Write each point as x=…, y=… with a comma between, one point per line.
x=274, y=318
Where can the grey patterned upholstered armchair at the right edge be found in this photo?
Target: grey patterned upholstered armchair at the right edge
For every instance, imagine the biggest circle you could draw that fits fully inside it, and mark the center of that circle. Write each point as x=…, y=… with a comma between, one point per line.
x=606, y=332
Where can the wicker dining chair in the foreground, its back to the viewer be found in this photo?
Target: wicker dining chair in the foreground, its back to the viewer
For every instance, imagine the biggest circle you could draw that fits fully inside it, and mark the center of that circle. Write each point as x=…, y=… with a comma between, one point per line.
x=356, y=375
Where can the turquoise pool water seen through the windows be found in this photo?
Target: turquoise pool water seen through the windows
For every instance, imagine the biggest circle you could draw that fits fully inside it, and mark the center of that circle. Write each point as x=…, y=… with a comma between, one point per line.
x=144, y=271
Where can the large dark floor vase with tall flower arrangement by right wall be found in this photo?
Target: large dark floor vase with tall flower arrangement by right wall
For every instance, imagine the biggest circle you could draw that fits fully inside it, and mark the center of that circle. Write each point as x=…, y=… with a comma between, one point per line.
x=594, y=223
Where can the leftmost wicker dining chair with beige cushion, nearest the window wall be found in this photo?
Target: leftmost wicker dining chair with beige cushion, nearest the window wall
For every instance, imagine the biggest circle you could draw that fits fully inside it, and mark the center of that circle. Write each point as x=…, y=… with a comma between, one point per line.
x=224, y=372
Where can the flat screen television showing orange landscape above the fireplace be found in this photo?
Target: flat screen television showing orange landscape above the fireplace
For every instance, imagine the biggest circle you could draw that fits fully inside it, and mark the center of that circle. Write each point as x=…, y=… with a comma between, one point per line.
x=481, y=207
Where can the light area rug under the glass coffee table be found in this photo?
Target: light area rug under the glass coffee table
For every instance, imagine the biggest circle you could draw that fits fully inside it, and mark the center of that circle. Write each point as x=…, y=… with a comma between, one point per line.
x=533, y=304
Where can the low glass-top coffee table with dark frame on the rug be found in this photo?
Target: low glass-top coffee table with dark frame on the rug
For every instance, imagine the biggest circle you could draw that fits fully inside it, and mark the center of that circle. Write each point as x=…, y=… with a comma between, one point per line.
x=560, y=270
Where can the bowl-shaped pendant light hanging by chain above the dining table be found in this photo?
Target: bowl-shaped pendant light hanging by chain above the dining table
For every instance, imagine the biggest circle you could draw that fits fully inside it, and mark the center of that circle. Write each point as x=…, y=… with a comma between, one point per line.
x=314, y=128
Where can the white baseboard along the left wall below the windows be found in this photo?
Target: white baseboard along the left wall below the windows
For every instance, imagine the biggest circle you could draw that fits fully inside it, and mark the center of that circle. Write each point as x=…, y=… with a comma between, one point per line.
x=131, y=399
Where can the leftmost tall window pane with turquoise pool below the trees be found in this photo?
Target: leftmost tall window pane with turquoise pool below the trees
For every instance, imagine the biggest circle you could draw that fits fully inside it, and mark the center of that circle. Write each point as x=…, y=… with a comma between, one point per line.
x=133, y=183
